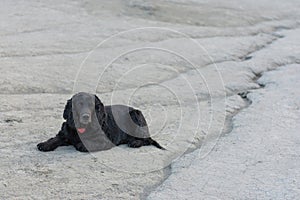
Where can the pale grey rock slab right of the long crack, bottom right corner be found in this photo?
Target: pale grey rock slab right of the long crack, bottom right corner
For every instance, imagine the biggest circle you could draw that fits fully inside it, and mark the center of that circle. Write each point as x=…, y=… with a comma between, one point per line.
x=259, y=159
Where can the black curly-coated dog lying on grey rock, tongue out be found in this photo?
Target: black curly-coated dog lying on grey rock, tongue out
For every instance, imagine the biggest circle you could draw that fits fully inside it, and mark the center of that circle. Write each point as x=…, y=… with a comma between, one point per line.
x=90, y=126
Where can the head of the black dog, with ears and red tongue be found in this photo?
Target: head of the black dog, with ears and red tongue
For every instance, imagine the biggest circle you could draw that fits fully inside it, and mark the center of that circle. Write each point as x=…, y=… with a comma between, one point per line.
x=81, y=111
